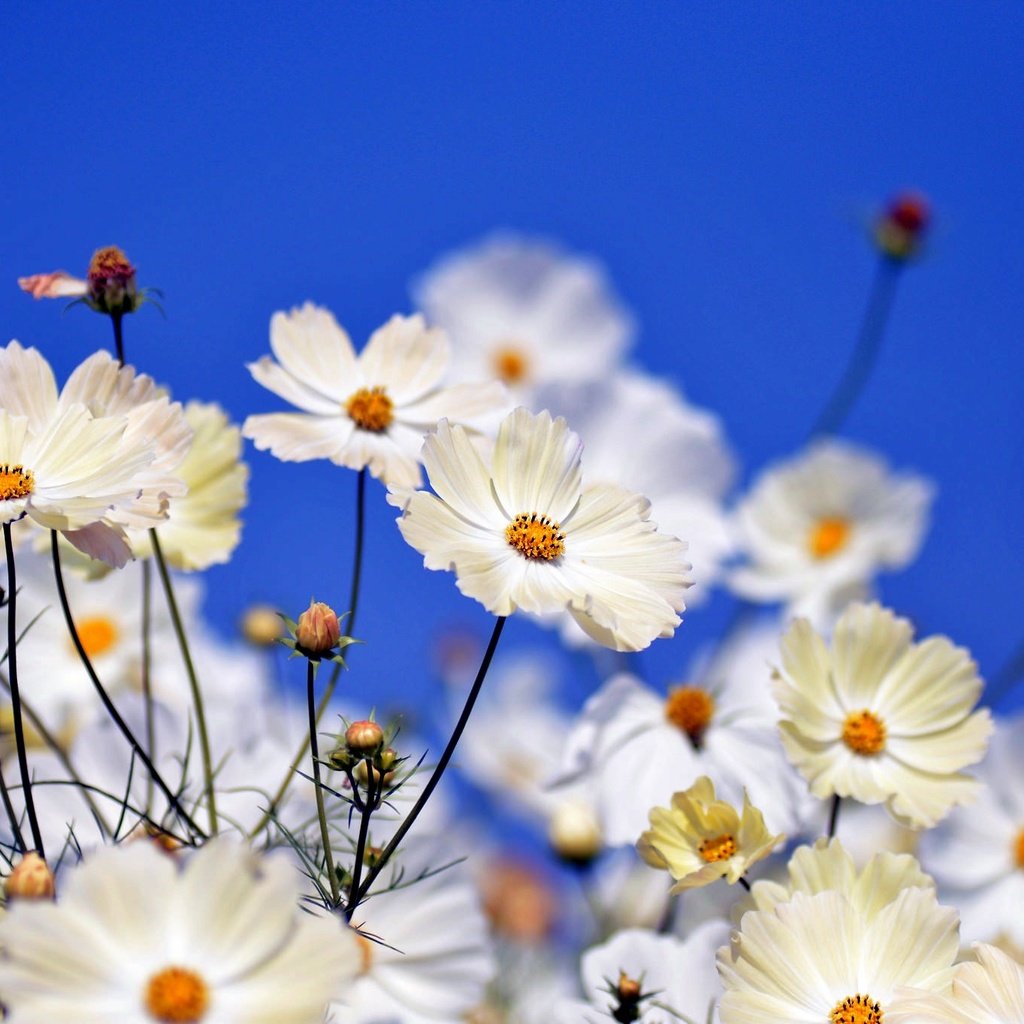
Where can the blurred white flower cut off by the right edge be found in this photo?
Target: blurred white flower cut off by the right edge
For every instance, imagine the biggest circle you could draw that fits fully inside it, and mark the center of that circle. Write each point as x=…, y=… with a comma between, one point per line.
x=977, y=855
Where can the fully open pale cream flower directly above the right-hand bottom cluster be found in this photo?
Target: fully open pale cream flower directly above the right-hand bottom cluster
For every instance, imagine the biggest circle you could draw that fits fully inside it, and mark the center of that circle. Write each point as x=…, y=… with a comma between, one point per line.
x=882, y=719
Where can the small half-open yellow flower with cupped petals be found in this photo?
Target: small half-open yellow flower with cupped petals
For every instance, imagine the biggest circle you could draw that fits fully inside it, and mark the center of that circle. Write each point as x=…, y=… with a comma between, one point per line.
x=700, y=840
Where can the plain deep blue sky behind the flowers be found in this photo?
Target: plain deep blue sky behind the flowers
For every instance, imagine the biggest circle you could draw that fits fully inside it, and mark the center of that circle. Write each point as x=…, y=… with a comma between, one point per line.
x=719, y=159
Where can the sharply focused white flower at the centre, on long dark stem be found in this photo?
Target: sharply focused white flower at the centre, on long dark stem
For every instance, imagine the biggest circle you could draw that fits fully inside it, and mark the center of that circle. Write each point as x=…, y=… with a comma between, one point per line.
x=527, y=534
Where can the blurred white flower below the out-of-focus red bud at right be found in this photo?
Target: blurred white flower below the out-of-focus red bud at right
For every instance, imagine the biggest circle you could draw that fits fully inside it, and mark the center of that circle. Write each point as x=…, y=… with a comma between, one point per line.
x=819, y=529
